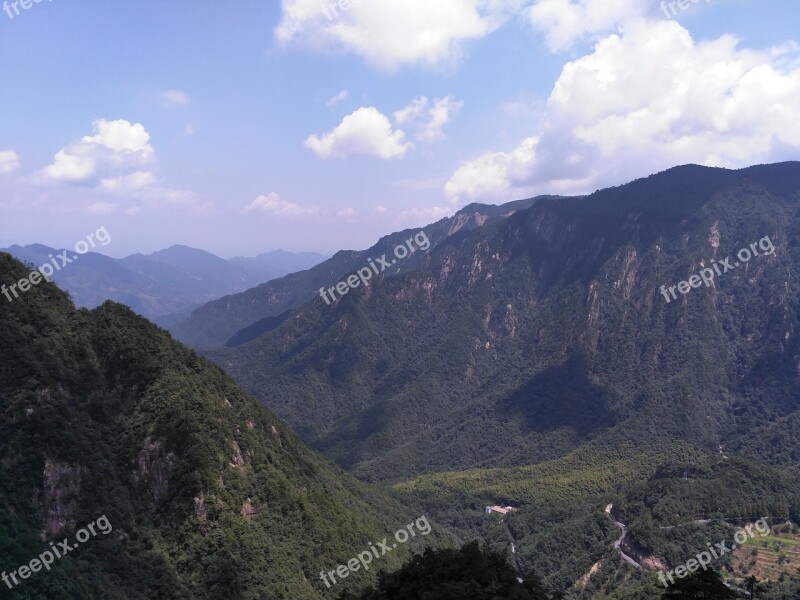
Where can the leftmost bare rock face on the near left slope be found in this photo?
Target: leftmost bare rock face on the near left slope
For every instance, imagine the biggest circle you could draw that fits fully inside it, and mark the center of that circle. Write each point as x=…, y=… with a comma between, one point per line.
x=62, y=484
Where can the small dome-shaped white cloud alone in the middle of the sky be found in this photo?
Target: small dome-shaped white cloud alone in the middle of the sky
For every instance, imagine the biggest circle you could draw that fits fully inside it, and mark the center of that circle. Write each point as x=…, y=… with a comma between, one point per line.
x=365, y=132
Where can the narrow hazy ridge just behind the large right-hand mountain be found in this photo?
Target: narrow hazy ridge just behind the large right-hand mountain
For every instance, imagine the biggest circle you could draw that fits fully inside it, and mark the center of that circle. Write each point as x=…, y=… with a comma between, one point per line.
x=219, y=322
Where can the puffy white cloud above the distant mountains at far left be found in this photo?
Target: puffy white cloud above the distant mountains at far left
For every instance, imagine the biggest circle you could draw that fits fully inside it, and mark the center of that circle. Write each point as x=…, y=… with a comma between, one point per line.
x=116, y=146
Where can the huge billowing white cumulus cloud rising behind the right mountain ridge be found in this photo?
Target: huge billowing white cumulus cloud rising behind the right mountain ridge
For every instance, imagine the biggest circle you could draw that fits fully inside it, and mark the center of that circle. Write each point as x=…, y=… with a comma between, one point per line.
x=611, y=117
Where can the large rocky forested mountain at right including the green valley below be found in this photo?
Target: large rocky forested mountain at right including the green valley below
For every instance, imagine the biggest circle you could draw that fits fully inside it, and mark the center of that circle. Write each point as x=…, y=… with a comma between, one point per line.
x=536, y=361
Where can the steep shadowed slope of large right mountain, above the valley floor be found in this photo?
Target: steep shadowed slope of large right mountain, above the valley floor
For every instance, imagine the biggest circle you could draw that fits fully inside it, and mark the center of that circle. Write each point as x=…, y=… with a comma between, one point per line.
x=518, y=341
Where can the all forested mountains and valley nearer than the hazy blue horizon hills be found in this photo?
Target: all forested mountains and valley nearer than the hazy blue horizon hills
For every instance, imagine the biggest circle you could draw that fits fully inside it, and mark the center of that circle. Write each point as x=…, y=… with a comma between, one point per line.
x=597, y=386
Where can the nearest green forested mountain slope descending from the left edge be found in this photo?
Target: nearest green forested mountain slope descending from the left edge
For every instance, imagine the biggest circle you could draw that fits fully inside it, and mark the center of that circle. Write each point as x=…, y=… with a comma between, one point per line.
x=198, y=491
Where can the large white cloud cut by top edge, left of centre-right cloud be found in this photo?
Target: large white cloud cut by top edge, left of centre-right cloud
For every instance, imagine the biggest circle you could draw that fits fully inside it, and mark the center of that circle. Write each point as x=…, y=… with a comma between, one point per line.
x=391, y=33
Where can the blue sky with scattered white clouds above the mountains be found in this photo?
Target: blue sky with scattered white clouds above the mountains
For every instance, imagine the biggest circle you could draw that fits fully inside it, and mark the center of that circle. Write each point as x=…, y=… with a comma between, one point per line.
x=320, y=125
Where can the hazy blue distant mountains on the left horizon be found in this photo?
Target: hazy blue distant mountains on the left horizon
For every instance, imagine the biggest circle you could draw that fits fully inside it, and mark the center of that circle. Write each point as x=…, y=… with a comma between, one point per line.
x=165, y=285
